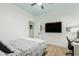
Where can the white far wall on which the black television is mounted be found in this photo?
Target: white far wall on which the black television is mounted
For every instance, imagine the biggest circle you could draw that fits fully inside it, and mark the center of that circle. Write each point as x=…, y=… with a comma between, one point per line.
x=68, y=19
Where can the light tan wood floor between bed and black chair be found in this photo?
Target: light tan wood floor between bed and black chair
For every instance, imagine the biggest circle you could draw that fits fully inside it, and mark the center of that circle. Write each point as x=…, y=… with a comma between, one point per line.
x=53, y=50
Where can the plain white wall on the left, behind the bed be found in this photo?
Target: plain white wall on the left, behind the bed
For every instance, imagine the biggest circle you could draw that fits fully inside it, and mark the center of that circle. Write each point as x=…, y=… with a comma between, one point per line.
x=14, y=22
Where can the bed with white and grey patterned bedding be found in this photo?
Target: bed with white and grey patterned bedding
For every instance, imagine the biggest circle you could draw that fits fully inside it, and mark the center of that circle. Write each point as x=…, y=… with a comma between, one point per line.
x=27, y=47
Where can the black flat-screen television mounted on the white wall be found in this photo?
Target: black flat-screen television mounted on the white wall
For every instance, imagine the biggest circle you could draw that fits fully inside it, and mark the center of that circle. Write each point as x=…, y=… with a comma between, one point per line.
x=53, y=27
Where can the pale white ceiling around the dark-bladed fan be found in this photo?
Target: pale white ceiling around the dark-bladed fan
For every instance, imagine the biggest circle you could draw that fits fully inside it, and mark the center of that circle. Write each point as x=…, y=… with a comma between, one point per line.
x=55, y=8
